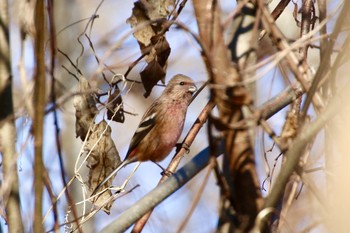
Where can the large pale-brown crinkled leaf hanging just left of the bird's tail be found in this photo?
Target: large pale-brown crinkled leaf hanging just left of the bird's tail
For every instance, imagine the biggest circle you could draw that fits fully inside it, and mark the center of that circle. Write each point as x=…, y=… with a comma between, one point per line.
x=103, y=159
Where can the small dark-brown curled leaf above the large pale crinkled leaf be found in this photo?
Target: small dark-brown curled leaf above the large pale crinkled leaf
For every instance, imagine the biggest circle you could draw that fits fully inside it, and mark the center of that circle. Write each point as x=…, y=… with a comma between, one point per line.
x=115, y=109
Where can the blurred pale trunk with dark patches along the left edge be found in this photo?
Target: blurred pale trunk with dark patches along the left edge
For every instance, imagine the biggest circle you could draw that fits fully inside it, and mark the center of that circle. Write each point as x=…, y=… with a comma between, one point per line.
x=8, y=128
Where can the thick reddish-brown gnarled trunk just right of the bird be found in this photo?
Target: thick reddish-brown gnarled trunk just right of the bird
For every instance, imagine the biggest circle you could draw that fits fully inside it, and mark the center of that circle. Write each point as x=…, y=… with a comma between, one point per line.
x=245, y=198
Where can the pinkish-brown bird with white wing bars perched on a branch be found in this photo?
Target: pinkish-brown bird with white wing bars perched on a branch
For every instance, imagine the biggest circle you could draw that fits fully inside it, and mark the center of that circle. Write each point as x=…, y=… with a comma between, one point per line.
x=161, y=125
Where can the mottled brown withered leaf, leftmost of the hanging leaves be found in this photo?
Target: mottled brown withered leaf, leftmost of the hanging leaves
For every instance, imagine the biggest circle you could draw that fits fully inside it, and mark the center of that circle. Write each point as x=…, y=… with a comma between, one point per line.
x=85, y=108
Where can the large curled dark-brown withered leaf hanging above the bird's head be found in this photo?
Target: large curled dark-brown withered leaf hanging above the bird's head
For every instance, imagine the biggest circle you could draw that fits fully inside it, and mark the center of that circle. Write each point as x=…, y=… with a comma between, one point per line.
x=151, y=39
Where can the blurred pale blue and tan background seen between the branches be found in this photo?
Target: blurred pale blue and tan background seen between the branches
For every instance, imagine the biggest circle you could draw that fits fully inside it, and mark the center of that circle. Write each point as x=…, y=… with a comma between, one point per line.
x=110, y=30
